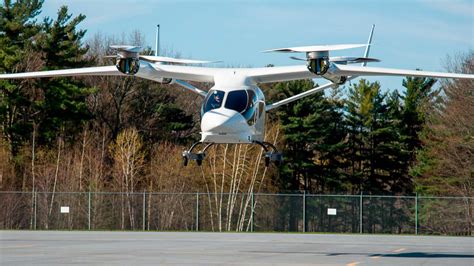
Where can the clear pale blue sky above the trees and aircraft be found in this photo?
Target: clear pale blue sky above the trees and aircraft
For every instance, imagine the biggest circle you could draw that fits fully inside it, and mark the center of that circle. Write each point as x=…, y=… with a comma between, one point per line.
x=409, y=33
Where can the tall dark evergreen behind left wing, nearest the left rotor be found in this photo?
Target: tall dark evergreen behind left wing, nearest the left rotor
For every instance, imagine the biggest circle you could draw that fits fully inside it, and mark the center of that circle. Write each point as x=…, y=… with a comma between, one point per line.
x=64, y=102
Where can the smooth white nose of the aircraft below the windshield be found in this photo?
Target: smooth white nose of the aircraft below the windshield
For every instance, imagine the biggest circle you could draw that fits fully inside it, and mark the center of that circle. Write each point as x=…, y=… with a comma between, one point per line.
x=222, y=121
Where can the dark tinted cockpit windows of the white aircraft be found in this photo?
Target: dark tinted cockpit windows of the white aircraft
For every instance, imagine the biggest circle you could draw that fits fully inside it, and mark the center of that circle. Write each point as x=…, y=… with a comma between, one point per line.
x=242, y=101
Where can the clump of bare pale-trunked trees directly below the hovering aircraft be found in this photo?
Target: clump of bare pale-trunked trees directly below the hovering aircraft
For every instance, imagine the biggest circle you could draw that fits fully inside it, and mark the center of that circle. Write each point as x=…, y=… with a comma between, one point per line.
x=234, y=173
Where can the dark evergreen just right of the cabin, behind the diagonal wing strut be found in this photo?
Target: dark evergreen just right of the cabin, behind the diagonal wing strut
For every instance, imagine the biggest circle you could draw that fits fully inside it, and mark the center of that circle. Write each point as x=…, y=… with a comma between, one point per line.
x=314, y=133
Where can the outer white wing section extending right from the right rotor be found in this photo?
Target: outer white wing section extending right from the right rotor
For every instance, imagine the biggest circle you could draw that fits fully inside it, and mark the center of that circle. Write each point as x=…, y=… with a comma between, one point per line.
x=346, y=70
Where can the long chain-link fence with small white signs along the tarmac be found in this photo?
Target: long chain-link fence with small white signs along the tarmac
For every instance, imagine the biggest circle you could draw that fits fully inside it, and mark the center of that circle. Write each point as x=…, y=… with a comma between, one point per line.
x=237, y=212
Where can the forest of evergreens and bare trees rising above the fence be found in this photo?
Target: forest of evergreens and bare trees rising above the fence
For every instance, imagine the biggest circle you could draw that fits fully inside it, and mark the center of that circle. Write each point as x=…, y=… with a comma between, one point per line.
x=125, y=134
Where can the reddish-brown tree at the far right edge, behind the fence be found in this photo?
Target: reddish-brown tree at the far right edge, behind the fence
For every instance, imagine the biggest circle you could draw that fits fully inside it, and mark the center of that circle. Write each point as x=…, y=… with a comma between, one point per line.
x=445, y=161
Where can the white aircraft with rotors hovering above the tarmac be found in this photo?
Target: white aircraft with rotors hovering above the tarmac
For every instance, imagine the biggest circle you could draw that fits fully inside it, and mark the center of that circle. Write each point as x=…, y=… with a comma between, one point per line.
x=233, y=110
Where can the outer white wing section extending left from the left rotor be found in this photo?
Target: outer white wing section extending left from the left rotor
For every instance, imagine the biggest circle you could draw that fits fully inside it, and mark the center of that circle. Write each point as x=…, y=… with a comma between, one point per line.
x=87, y=71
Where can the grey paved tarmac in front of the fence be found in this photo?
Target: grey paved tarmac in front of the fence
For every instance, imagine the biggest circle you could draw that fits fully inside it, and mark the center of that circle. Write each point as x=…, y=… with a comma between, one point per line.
x=158, y=248
